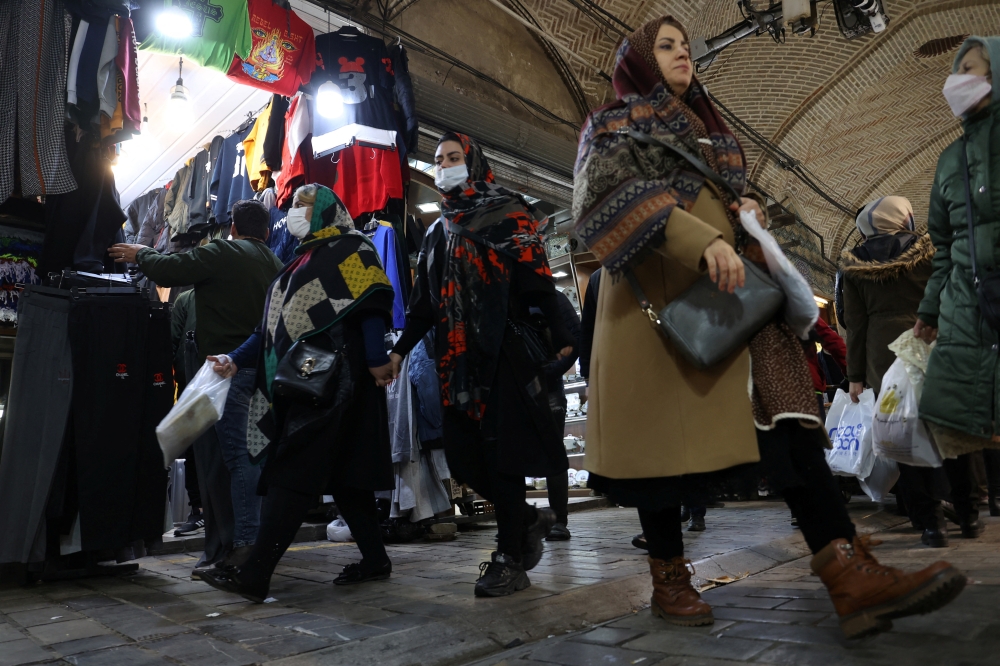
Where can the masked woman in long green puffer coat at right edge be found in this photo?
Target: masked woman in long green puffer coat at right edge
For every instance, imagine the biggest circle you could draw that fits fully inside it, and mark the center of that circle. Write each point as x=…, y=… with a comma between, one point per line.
x=961, y=401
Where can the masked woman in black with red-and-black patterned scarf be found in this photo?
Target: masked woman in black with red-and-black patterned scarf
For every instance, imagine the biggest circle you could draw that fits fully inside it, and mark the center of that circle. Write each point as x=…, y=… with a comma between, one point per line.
x=482, y=275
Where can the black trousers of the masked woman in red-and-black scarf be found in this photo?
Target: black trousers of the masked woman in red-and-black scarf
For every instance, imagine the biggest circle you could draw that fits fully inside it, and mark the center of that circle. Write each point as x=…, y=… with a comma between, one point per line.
x=473, y=461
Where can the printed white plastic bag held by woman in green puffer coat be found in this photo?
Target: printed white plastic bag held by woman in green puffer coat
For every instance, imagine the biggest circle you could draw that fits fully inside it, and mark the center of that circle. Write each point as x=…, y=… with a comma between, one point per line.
x=897, y=431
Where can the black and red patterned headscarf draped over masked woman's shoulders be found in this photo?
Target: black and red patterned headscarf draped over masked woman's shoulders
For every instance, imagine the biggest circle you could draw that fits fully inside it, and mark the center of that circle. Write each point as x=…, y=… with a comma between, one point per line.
x=476, y=285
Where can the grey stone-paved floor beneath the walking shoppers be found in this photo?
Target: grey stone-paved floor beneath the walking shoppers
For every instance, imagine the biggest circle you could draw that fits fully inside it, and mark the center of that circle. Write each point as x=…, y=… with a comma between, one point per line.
x=426, y=613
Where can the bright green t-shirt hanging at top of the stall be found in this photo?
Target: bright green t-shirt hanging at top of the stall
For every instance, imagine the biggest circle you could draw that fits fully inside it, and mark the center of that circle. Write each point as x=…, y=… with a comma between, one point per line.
x=220, y=29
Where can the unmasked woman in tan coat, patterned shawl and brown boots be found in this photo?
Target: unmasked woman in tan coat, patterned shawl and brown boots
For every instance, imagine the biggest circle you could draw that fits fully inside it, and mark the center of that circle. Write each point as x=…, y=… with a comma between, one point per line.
x=658, y=428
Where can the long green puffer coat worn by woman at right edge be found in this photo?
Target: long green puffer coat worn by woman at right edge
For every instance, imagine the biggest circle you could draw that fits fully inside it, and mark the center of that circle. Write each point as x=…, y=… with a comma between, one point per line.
x=963, y=375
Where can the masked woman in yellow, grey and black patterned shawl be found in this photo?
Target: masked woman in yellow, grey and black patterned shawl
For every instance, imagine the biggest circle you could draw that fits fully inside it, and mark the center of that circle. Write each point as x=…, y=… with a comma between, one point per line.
x=332, y=303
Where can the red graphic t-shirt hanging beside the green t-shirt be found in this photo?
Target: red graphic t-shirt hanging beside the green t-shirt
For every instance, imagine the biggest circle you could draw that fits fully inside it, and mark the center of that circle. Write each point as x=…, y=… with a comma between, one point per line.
x=283, y=55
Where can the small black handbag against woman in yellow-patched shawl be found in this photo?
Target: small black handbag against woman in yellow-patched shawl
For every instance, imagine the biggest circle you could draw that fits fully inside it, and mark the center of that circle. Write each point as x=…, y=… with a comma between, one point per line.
x=308, y=373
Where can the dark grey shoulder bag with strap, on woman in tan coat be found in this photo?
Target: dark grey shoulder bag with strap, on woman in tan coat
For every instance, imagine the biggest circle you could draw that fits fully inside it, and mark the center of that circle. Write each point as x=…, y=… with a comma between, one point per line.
x=704, y=324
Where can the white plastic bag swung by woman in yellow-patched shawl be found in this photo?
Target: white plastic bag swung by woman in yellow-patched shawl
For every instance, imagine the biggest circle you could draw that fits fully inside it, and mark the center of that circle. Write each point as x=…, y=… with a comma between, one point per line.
x=198, y=409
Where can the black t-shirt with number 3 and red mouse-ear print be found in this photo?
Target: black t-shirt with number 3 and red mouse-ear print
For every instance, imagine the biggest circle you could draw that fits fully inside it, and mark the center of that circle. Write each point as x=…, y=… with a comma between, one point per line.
x=361, y=66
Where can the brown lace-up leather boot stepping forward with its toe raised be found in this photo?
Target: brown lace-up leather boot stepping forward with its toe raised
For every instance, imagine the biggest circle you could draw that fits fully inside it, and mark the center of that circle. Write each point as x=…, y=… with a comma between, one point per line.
x=868, y=595
